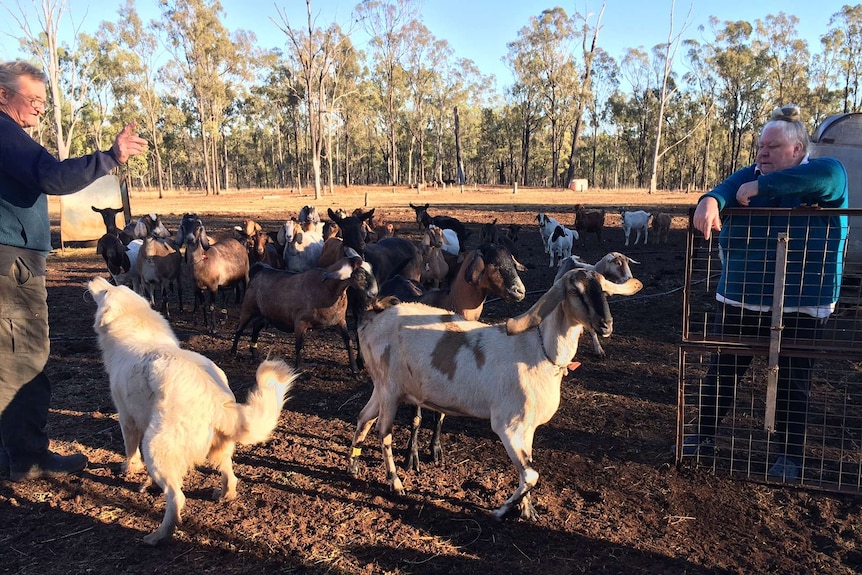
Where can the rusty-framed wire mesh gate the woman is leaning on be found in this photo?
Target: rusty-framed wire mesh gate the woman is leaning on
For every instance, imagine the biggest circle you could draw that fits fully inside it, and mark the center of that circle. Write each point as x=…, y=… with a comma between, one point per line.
x=774, y=381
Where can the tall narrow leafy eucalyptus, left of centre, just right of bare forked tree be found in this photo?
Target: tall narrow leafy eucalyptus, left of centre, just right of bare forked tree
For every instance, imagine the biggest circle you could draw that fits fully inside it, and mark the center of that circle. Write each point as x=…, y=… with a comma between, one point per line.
x=387, y=23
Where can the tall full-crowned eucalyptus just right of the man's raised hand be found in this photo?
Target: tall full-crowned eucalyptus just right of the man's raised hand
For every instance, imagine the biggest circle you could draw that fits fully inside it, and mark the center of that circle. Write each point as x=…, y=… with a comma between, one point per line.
x=211, y=63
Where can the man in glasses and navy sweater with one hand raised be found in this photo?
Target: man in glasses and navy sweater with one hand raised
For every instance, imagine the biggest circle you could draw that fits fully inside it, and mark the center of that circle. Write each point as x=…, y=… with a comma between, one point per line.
x=28, y=174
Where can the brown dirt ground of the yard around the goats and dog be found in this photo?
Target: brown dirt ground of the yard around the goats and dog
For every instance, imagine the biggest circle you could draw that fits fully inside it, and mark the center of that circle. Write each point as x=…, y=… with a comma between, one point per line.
x=609, y=498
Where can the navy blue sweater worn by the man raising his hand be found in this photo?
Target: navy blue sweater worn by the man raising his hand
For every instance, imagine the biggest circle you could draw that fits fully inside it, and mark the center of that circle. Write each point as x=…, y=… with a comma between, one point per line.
x=28, y=174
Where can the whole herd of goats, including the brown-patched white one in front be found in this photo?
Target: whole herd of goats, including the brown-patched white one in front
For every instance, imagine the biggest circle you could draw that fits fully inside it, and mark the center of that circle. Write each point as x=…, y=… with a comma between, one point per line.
x=415, y=307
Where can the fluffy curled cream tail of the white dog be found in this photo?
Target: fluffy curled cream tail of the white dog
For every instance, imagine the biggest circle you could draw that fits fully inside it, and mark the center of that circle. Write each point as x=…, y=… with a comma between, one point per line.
x=259, y=414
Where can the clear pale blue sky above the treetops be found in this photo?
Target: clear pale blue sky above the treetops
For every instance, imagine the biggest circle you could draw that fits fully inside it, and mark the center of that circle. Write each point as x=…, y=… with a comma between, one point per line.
x=476, y=29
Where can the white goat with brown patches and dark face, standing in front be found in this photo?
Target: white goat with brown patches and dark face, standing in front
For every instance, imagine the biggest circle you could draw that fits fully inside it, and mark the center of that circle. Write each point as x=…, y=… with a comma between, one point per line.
x=509, y=374
